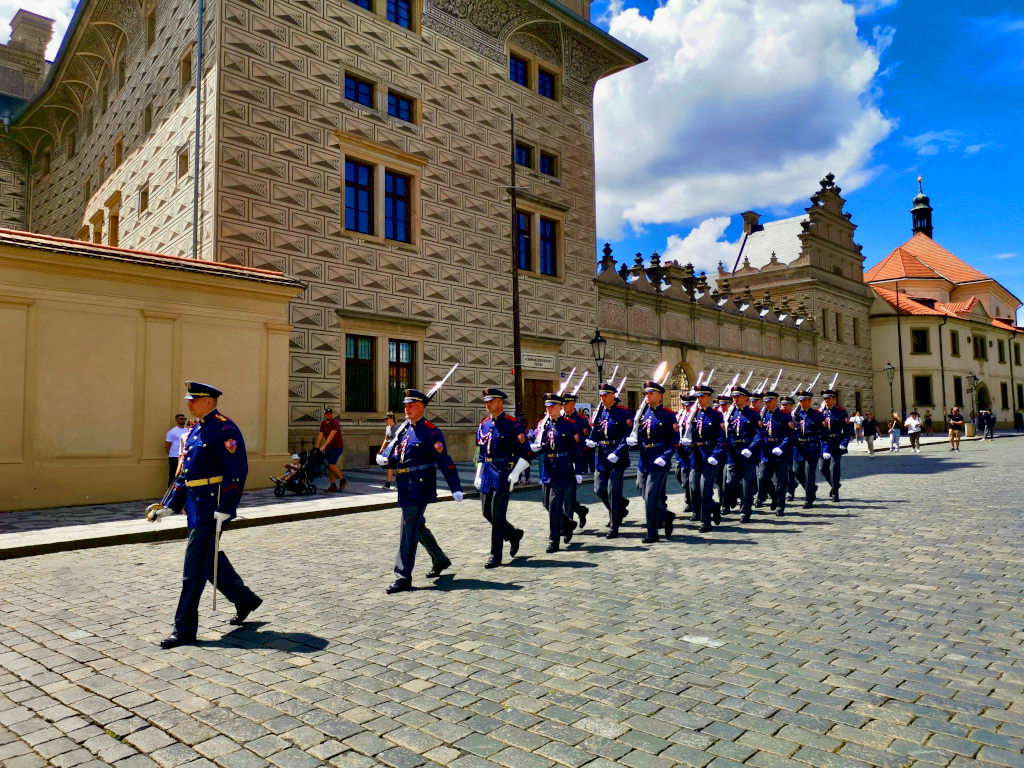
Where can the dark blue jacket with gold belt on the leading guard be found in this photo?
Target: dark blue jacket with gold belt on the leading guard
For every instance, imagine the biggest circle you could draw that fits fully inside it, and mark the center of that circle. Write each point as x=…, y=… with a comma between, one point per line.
x=214, y=449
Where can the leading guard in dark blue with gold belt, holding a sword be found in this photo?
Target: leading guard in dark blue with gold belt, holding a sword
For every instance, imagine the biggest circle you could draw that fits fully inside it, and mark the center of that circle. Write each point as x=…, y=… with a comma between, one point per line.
x=209, y=488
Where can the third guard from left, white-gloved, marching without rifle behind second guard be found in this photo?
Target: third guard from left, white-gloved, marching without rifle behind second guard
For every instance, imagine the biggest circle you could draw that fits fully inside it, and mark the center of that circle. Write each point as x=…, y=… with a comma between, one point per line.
x=504, y=456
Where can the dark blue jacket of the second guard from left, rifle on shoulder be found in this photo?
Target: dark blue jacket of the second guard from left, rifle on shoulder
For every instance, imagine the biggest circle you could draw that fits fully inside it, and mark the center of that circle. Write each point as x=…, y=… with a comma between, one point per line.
x=417, y=457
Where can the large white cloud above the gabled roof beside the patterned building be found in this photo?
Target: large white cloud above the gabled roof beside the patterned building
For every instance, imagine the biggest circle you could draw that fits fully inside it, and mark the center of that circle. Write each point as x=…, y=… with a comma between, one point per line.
x=744, y=104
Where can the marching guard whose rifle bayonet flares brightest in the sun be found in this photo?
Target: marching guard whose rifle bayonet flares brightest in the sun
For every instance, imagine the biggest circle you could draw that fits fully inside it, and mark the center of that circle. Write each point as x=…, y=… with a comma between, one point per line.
x=659, y=436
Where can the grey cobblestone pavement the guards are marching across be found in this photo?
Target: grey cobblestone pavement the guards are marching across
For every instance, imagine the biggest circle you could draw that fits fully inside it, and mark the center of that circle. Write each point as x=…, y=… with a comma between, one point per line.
x=887, y=631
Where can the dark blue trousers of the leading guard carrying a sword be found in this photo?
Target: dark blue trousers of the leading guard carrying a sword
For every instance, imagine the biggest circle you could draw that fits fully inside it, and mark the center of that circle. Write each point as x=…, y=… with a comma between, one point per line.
x=199, y=571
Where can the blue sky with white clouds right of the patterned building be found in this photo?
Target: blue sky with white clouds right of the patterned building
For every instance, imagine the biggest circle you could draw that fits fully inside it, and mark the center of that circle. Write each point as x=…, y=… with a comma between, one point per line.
x=732, y=100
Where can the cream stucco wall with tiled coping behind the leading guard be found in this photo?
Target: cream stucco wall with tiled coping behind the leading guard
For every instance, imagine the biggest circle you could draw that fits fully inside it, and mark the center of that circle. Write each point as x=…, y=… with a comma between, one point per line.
x=96, y=353
